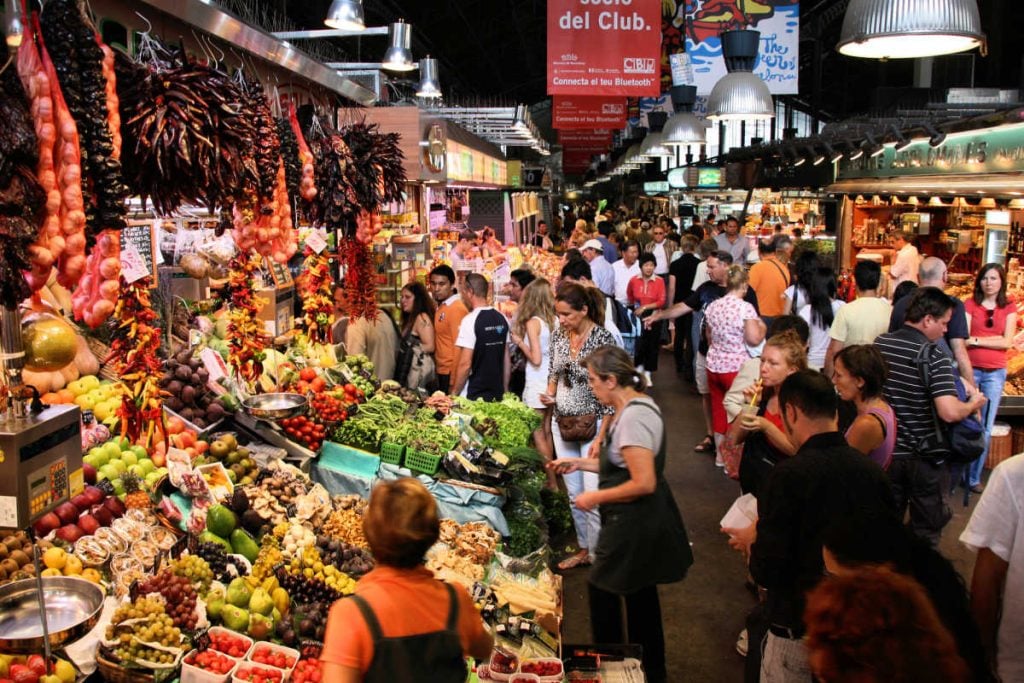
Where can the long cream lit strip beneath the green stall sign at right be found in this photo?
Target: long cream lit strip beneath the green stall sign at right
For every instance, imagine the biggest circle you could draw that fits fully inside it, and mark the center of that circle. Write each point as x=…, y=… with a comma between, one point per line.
x=988, y=185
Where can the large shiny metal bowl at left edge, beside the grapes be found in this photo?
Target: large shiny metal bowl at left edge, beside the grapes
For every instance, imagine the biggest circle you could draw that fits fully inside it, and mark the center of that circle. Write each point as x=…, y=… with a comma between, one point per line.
x=73, y=608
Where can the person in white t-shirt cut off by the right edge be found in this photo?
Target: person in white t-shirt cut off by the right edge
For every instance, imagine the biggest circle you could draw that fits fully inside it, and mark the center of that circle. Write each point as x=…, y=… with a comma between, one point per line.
x=997, y=532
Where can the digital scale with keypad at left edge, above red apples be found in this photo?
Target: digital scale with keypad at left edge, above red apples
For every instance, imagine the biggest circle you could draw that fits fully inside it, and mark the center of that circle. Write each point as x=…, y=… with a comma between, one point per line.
x=40, y=464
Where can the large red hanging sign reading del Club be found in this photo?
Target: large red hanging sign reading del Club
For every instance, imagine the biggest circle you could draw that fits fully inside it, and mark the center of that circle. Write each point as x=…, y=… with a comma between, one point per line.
x=605, y=48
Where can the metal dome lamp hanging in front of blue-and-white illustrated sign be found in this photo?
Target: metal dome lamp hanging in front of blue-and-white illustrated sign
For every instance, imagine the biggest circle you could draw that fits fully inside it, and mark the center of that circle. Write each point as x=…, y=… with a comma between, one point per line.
x=741, y=95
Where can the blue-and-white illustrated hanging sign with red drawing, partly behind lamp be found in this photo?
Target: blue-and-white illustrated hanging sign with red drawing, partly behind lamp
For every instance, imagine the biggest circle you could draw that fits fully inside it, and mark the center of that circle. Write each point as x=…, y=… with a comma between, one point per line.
x=697, y=26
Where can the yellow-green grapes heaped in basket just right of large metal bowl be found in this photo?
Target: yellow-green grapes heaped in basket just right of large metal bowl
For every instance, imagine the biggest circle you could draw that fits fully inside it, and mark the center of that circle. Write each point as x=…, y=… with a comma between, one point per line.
x=151, y=624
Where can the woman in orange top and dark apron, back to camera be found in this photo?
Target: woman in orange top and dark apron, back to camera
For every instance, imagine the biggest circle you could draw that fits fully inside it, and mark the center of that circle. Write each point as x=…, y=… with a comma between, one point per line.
x=403, y=624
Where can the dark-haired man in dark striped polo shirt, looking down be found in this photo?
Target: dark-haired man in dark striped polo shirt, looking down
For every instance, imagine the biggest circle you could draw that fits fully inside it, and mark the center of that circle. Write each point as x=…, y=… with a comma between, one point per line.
x=920, y=483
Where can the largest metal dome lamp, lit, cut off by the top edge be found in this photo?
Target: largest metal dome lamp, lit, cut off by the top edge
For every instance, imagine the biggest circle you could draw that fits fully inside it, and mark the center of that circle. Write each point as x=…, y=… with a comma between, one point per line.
x=909, y=29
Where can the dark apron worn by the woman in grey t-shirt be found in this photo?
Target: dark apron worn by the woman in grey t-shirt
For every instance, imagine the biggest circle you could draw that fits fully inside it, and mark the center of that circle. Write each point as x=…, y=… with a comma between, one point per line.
x=644, y=542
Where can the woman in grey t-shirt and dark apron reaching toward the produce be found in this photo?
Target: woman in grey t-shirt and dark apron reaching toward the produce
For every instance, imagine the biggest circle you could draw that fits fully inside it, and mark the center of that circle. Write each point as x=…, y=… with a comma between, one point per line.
x=643, y=542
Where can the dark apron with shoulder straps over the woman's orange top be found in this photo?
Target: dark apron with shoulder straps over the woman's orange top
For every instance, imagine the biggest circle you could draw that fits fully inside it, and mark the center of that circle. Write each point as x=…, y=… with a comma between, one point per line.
x=429, y=658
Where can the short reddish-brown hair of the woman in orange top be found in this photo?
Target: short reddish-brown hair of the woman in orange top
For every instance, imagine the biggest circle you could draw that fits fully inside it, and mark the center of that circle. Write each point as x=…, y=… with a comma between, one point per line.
x=401, y=524
